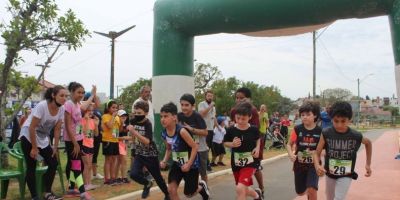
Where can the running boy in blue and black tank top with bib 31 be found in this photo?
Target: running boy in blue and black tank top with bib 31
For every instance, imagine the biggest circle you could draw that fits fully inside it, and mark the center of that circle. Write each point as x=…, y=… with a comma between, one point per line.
x=183, y=148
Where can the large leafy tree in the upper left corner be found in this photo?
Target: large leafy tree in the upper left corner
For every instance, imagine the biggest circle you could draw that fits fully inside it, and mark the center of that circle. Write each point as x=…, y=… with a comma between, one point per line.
x=36, y=26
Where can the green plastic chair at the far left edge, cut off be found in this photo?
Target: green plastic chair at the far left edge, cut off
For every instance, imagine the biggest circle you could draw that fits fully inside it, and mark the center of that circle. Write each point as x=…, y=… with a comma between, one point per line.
x=7, y=174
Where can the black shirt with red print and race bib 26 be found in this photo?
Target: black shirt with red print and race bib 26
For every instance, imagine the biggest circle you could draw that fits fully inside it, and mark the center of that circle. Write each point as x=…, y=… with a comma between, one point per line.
x=306, y=143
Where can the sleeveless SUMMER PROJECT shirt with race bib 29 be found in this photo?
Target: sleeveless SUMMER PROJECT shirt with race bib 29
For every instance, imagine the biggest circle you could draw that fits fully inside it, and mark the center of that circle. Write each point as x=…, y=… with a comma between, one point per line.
x=341, y=152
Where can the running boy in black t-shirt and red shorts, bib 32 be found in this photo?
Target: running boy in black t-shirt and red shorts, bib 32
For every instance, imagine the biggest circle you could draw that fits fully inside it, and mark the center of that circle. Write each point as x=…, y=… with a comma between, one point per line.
x=245, y=143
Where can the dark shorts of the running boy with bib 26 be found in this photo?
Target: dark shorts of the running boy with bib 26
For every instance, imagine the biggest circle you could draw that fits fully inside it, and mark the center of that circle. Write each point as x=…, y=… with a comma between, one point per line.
x=304, y=179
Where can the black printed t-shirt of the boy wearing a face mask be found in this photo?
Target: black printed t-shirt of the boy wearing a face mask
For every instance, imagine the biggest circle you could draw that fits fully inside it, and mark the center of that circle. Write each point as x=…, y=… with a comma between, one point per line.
x=145, y=129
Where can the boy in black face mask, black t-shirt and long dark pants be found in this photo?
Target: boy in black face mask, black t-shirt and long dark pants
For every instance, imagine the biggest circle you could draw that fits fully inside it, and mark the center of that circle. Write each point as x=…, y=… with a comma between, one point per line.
x=146, y=151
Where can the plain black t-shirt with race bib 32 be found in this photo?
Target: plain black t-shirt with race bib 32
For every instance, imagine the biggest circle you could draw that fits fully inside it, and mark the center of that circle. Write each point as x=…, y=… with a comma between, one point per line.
x=241, y=156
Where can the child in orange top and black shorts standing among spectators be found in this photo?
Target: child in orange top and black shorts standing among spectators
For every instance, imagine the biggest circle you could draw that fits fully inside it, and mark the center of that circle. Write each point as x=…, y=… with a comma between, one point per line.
x=90, y=129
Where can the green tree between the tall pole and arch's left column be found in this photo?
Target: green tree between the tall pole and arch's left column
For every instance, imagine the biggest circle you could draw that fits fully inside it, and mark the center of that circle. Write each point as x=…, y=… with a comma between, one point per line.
x=132, y=92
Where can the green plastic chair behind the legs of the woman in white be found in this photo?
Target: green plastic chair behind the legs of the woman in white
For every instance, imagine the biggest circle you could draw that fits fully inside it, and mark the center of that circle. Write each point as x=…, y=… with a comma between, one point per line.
x=40, y=171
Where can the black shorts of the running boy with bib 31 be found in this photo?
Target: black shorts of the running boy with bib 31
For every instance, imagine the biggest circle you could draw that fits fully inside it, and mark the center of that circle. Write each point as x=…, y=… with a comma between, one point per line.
x=191, y=178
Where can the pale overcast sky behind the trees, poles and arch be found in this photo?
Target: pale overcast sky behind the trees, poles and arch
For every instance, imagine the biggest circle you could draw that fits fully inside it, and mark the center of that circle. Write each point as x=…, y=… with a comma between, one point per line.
x=347, y=50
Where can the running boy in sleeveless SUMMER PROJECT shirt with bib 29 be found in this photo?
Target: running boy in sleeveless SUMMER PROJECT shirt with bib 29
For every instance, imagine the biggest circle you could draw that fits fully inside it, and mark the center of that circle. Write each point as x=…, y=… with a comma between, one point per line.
x=341, y=144
